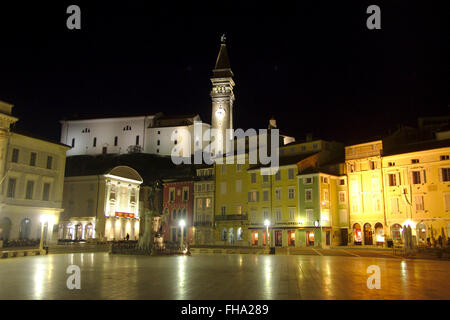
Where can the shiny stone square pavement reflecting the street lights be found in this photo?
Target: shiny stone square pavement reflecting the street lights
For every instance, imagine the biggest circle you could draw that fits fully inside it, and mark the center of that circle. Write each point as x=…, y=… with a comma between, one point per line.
x=105, y=276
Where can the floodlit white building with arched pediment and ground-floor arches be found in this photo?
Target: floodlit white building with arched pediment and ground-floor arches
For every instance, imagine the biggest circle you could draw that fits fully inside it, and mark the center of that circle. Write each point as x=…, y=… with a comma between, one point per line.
x=101, y=206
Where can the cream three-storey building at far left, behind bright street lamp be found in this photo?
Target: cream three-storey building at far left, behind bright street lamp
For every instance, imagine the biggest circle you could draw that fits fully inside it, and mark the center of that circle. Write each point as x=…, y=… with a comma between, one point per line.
x=31, y=182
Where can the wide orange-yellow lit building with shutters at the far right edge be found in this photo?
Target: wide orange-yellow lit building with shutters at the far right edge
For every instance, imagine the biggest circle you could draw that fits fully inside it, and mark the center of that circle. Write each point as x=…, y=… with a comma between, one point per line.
x=417, y=190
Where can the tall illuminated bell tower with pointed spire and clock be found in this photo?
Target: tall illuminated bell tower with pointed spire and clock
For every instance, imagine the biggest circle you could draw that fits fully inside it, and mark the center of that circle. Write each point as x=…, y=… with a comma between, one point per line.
x=222, y=97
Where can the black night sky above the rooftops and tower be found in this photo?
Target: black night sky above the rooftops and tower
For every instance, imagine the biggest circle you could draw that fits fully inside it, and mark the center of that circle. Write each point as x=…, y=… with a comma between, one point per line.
x=313, y=65
